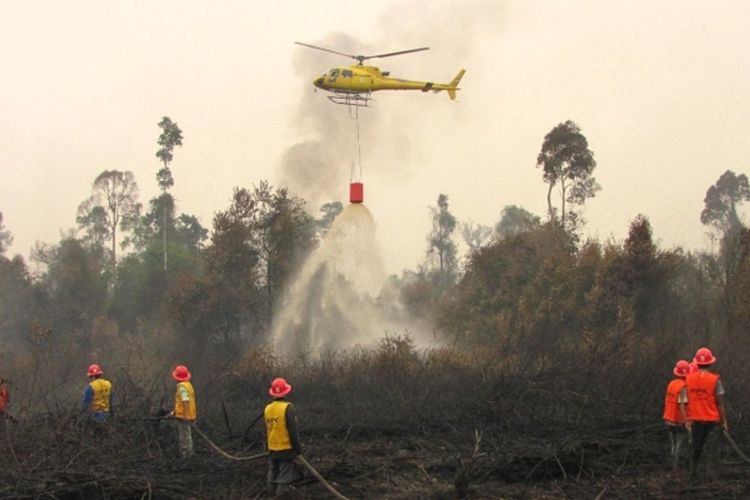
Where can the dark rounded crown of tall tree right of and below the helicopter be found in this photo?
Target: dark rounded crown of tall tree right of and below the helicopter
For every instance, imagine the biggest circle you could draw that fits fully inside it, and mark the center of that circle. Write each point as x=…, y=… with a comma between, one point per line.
x=568, y=163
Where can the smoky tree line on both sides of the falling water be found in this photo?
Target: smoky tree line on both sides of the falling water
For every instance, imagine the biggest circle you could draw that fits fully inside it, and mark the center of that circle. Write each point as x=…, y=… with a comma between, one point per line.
x=531, y=289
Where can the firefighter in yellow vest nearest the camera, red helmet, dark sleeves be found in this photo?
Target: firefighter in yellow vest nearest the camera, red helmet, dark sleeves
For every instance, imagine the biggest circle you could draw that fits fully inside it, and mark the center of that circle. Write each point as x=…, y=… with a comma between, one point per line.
x=283, y=438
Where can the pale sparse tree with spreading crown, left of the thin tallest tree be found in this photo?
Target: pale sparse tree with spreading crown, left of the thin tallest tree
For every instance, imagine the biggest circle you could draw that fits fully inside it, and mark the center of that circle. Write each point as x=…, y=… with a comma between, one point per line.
x=113, y=204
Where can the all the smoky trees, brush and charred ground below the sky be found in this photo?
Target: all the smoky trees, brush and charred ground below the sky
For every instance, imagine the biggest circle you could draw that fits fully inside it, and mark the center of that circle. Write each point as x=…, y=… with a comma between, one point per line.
x=545, y=379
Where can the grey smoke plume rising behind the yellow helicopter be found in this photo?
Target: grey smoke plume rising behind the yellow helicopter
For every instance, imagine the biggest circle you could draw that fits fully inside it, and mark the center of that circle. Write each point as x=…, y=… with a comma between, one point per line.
x=318, y=167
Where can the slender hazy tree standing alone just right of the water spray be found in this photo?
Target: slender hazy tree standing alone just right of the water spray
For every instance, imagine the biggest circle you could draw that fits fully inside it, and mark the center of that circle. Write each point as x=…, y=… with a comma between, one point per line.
x=441, y=249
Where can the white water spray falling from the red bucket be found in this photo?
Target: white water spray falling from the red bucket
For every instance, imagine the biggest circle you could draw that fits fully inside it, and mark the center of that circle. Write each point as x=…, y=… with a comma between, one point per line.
x=332, y=303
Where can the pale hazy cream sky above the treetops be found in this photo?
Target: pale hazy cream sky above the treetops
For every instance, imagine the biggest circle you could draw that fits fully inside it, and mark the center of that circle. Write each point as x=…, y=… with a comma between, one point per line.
x=660, y=89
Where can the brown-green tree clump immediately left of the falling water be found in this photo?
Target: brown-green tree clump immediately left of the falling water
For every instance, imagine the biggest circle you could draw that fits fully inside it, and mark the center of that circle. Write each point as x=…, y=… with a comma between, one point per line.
x=255, y=246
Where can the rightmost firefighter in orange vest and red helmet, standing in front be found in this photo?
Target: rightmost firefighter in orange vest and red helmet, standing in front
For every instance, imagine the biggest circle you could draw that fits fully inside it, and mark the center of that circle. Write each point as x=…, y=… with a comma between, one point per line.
x=703, y=400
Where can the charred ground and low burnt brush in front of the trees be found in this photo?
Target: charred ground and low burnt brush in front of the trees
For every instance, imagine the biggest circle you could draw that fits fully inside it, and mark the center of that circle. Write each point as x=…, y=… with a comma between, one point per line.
x=392, y=423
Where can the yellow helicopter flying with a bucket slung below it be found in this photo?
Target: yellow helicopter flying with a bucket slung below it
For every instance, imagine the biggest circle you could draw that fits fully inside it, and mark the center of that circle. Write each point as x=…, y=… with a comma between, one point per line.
x=352, y=85
